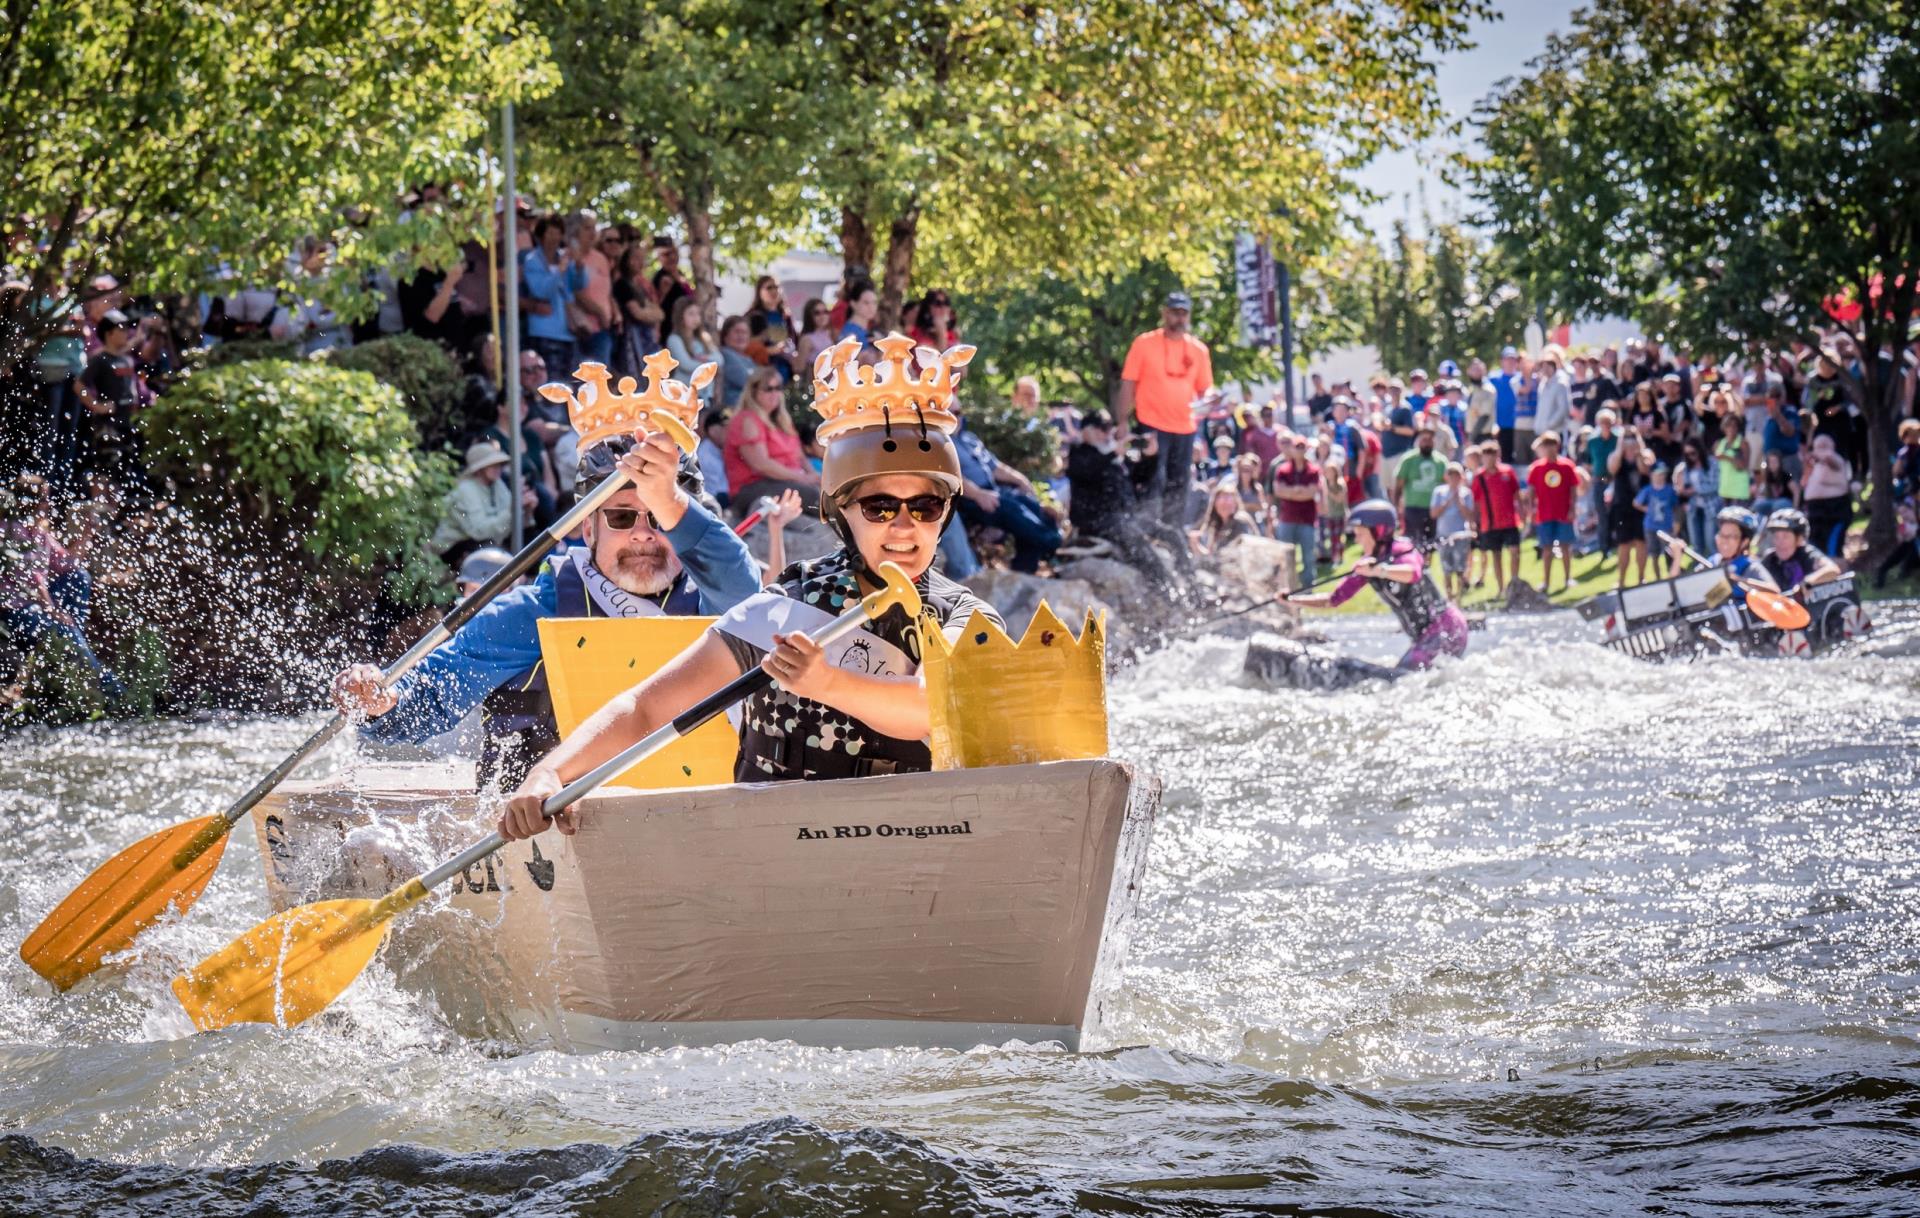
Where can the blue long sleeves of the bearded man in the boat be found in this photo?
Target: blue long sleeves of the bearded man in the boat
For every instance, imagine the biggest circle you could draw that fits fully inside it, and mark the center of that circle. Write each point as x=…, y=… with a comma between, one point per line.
x=504, y=641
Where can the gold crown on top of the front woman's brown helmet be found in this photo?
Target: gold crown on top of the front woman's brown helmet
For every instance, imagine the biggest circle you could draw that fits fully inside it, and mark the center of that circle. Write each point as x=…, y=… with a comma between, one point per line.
x=852, y=397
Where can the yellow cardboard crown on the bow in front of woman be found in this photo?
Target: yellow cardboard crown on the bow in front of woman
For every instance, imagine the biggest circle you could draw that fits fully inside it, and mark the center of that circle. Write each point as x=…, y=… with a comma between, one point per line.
x=997, y=702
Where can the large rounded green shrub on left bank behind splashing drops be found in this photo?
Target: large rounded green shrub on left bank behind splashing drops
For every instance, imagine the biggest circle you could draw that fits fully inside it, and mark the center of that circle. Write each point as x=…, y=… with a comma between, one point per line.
x=300, y=522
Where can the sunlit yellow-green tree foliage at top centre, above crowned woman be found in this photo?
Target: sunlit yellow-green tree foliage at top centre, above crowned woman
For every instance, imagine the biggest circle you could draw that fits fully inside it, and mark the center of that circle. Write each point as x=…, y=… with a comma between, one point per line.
x=1084, y=139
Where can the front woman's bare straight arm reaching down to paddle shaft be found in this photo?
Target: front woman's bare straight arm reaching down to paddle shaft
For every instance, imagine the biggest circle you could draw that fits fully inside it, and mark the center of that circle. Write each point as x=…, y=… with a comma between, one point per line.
x=625, y=719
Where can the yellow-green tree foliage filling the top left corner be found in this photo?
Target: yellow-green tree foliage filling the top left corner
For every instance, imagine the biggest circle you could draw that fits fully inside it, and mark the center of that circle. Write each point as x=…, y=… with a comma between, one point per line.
x=166, y=139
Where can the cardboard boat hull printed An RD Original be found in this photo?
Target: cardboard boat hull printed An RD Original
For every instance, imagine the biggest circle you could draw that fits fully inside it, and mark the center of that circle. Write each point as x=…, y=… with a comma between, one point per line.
x=946, y=910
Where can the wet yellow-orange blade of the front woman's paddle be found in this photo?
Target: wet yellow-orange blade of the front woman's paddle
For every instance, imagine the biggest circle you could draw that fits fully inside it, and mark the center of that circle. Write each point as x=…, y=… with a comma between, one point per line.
x=293, y=965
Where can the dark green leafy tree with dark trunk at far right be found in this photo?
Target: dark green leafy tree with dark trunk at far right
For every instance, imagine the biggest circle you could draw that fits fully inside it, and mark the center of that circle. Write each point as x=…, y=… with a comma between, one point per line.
x=1723, y=168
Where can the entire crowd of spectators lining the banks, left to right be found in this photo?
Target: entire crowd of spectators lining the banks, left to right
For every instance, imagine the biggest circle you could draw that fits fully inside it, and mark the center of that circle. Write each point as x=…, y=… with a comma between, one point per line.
x=1583, y=454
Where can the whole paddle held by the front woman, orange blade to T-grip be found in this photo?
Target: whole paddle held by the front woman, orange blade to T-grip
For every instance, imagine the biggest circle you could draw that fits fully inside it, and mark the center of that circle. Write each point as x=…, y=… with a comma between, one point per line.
x=297, y=963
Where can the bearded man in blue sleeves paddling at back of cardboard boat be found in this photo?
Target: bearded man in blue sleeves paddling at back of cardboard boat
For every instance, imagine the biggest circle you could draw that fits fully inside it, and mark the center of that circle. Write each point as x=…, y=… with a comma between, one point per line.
x=656, y=548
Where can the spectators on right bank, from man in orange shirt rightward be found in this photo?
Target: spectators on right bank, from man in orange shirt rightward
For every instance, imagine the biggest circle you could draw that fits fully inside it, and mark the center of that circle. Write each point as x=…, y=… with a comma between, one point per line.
x=1581, y=454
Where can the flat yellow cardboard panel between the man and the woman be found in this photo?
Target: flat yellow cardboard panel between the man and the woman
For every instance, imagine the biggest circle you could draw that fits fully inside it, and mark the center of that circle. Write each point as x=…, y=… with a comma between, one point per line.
x=590, y=660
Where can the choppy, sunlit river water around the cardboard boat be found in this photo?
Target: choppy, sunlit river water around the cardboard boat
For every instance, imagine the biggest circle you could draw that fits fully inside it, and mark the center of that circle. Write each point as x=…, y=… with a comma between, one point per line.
x=1545, y=931
